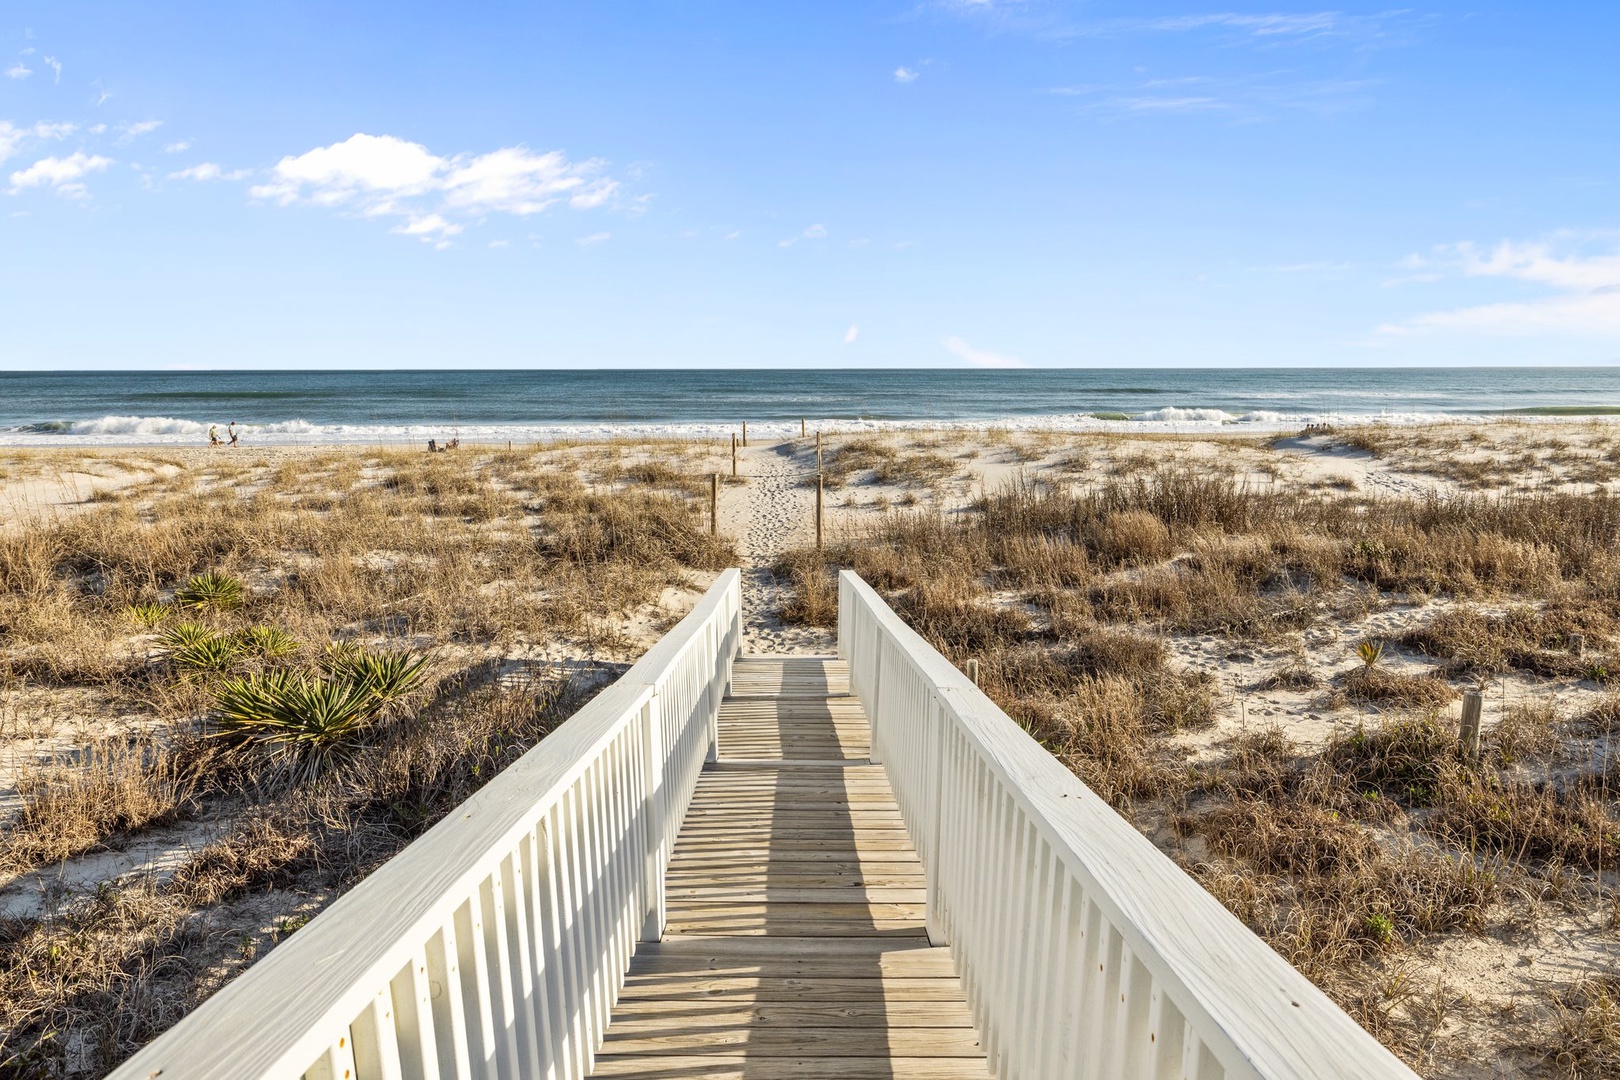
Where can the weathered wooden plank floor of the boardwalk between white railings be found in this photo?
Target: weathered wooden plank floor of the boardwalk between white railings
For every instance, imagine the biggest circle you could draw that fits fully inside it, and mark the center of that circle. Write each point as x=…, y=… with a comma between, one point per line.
x=795, y=946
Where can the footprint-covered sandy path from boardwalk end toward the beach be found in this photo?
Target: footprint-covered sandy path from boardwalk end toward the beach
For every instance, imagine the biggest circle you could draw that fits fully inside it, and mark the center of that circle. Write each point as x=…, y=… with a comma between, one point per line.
x=770, y=512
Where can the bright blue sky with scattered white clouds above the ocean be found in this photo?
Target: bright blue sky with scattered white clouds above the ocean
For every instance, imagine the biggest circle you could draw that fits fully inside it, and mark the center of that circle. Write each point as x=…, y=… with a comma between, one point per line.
x=866, y=184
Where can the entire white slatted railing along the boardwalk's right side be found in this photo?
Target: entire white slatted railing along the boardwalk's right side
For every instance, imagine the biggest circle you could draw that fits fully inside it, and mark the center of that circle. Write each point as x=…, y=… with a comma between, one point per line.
x=1085, y=950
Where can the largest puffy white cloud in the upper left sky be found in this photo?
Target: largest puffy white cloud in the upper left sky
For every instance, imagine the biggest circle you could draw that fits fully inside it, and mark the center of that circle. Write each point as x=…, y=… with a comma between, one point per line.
x=386, y=176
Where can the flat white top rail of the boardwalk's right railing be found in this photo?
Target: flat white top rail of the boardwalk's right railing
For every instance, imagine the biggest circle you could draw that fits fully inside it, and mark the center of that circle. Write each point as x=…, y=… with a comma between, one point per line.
x=1229, y=984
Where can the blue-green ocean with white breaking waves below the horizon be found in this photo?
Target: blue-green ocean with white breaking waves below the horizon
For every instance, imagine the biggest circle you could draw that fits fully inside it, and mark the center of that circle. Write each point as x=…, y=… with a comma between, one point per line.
x=391, y=407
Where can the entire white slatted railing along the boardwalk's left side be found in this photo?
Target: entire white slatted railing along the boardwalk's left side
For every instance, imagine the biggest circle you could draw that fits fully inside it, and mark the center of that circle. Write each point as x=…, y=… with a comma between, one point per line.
x=497, y=943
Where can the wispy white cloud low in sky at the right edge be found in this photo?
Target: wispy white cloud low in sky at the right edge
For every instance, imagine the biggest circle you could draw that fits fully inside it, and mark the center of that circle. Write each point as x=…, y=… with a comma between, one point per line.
x=1585, y=302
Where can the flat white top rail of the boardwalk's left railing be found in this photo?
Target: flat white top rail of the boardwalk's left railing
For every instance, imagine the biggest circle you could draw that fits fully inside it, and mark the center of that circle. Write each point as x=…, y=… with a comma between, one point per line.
x=333, y=967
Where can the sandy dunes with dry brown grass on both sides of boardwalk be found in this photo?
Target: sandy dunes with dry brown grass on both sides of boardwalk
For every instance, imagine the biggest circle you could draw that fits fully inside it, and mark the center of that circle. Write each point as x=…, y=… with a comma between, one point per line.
x=1175, y=618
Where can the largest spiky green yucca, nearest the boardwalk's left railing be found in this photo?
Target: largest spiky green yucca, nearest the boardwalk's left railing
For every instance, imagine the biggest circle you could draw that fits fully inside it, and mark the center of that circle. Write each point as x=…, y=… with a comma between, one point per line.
x=310, y=721
